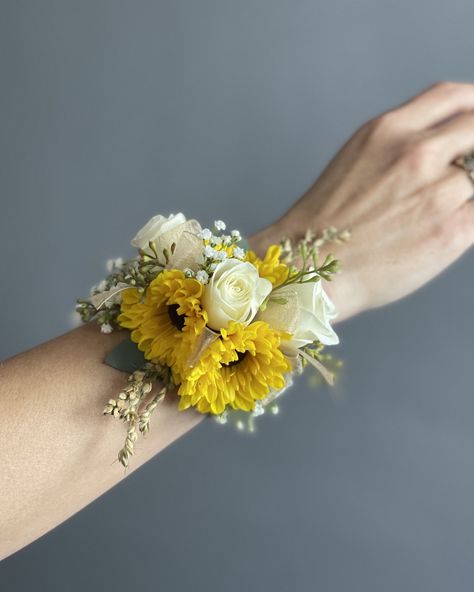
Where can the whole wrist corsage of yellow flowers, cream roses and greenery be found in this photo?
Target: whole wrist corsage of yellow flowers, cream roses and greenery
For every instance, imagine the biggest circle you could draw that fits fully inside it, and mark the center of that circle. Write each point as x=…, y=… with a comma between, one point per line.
x=210, y=320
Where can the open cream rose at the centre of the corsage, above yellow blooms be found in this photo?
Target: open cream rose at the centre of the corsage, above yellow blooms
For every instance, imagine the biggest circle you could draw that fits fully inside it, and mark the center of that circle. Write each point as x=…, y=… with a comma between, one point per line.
x=234, y=293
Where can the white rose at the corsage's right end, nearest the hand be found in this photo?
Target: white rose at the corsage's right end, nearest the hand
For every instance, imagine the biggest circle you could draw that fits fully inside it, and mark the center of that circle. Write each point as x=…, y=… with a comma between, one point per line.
x=315, y=313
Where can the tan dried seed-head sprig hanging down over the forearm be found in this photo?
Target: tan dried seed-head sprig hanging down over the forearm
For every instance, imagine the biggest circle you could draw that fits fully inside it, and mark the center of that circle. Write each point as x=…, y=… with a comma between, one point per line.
x=134, y=407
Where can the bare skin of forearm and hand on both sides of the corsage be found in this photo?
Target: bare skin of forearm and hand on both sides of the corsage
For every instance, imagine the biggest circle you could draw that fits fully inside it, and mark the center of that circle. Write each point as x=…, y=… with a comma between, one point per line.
x=410, y=215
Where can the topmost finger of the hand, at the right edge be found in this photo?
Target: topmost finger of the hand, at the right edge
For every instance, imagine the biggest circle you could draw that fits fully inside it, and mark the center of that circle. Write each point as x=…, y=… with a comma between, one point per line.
x=439, y=102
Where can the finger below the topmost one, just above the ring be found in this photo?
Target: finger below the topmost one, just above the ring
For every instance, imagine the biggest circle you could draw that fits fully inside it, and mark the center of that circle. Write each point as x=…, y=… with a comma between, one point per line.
x=451, y=139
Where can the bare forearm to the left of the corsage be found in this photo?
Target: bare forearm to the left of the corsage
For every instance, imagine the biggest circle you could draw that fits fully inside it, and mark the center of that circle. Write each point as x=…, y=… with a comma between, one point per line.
x=56, y=447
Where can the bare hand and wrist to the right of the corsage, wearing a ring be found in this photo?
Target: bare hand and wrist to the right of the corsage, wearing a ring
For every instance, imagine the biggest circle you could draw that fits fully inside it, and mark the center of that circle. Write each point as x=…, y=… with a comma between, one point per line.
x=393, y=185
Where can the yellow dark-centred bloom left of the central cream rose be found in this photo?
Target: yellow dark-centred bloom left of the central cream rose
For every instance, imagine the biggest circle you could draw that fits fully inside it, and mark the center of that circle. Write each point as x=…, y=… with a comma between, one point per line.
x=166, y=321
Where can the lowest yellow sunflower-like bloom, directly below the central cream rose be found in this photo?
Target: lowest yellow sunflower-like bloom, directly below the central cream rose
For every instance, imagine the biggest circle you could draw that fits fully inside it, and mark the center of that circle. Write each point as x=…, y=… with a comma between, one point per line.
x=237, y=369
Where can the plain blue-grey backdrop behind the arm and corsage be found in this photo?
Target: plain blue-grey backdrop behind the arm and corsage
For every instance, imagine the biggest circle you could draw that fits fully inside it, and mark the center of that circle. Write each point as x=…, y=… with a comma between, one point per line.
x=113, y=111
